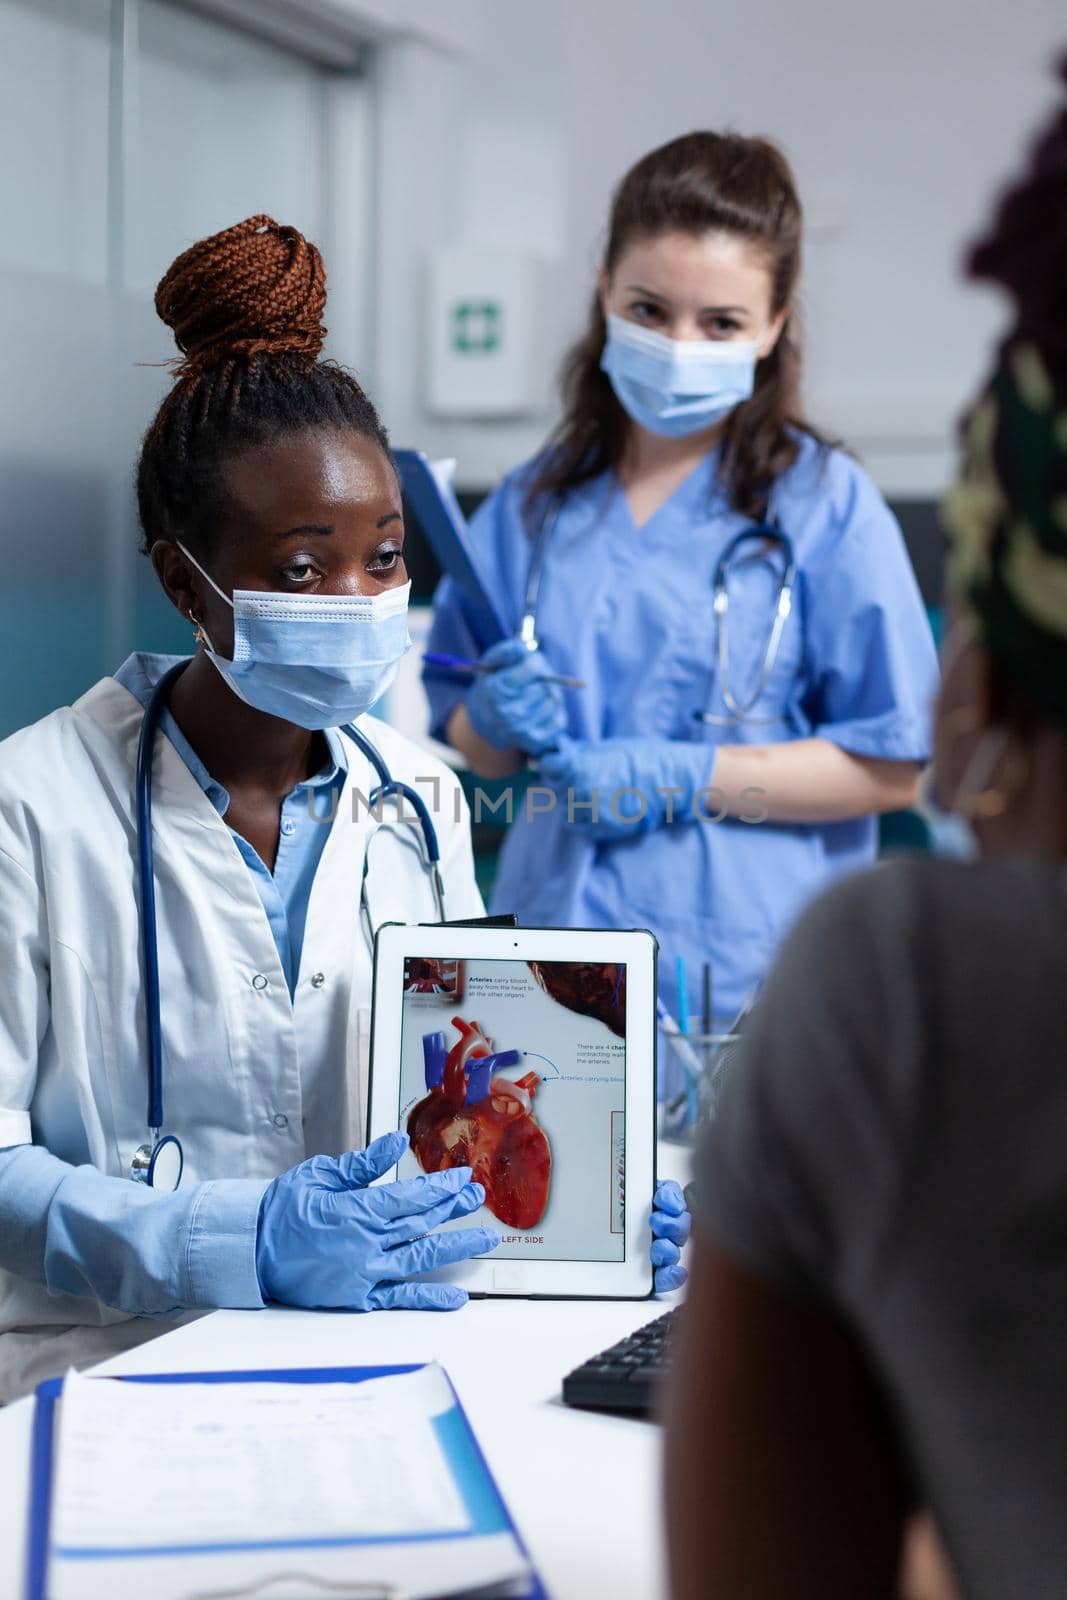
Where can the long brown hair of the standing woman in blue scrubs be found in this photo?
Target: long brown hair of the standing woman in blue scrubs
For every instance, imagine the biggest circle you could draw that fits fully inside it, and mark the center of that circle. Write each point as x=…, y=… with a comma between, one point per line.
x=697, y=185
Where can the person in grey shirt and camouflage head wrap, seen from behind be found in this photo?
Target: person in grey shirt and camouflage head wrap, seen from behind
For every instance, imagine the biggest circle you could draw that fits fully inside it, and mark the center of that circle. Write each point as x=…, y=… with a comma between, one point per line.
x=879, y=1294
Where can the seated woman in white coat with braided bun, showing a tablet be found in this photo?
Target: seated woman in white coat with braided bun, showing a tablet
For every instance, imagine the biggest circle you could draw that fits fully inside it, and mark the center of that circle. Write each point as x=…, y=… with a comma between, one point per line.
x=273, y=518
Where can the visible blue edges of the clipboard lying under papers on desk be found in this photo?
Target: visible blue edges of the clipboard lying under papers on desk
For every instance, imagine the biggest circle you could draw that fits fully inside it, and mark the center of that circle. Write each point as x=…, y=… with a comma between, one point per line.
x=471, y=1471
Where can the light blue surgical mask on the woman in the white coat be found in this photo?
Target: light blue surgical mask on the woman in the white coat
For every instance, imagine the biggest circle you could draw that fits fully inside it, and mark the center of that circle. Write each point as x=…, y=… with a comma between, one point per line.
x=318, y=662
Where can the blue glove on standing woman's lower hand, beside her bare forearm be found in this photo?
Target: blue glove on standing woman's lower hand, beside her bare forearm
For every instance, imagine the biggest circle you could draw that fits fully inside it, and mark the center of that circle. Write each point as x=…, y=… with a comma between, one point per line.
x=666, y=774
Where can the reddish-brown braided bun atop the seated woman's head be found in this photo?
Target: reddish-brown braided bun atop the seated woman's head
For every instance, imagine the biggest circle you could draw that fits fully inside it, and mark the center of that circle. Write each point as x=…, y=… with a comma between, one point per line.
x=255, y=289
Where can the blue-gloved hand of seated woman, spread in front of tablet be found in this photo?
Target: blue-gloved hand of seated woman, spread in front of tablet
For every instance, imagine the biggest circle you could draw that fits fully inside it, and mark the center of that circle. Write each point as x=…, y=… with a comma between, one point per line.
x=327, y=1241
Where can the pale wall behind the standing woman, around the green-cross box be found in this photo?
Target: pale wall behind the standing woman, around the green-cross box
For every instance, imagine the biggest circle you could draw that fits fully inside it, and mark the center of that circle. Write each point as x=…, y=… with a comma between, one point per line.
x=901, y=121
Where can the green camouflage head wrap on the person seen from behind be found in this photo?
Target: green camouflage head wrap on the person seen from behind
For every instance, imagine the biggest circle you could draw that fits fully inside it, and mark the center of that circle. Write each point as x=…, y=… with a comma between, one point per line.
x=1007, y=522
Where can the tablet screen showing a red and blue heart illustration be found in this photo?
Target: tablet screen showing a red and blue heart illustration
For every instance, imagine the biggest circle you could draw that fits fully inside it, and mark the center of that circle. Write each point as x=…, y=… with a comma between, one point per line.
x=518, y=1070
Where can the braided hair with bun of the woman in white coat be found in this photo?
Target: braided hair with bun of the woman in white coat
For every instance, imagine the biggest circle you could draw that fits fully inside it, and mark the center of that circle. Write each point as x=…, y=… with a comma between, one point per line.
x=247, y=310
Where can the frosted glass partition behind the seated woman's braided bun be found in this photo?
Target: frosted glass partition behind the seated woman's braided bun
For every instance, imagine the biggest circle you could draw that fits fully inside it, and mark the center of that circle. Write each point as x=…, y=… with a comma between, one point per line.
x=130, y=129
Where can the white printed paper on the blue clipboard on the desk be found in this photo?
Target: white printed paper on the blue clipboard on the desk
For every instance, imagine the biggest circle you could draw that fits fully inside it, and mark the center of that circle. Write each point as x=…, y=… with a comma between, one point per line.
x=234, y=1463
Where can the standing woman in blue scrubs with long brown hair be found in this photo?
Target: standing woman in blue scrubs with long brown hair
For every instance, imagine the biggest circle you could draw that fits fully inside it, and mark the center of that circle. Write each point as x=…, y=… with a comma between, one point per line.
x=732, y=593
